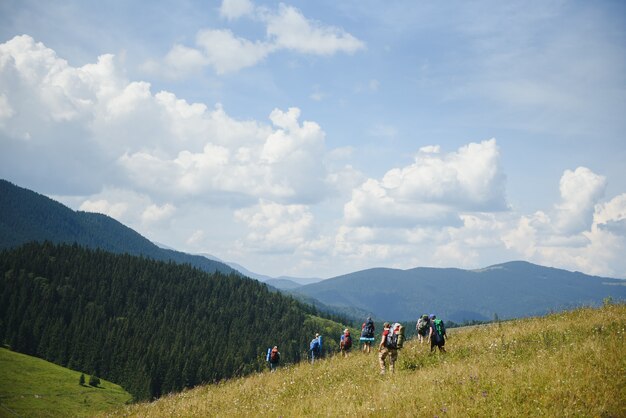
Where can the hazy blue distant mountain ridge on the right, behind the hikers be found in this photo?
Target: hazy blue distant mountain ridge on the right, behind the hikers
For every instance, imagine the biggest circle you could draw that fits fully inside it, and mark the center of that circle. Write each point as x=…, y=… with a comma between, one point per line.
x=508, y=290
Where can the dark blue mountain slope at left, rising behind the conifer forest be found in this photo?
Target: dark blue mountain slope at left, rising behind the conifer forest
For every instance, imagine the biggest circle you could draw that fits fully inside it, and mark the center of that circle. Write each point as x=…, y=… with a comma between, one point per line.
x=27, y=216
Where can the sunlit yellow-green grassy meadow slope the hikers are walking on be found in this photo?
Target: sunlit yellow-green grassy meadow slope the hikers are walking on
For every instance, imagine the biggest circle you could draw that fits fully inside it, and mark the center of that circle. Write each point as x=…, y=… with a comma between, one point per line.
x=570, y=364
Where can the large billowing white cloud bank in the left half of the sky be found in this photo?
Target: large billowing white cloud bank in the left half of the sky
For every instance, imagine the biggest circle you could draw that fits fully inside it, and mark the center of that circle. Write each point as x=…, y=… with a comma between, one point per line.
x=152, y=143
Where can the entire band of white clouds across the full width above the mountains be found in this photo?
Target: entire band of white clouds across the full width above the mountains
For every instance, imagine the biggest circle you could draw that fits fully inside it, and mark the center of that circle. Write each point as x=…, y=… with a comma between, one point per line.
x=178, y=172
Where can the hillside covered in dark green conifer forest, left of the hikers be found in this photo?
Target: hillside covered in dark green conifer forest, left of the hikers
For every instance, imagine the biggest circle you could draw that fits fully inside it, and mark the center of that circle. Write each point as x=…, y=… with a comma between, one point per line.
x=152, y=327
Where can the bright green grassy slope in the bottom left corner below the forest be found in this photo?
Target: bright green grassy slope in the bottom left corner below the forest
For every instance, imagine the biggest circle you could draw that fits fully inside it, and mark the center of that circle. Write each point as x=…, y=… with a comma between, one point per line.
x=31, y=387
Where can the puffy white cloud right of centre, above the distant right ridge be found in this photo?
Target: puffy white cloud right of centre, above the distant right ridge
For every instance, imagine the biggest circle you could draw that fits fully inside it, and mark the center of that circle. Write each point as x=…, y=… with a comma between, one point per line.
x=433, y=189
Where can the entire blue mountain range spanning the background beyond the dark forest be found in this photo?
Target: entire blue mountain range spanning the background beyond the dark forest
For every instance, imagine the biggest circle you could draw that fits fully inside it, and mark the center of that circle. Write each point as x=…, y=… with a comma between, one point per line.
x=513, y=289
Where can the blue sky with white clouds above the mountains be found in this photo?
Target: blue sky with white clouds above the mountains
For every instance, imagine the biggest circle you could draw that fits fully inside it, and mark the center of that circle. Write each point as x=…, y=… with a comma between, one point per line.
x=314, y=139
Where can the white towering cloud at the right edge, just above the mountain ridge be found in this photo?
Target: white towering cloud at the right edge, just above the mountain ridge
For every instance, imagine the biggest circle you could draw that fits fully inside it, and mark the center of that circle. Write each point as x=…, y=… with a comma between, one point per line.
x=581, y=234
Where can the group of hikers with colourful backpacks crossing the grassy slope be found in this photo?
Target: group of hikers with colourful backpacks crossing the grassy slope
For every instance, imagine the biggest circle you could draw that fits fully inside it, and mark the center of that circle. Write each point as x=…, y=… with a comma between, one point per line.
x=428, y=328
